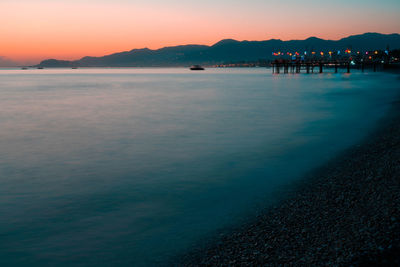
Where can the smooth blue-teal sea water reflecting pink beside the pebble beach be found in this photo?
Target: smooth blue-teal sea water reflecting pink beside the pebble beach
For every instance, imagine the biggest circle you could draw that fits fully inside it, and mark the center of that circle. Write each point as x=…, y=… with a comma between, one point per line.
x=103, y=167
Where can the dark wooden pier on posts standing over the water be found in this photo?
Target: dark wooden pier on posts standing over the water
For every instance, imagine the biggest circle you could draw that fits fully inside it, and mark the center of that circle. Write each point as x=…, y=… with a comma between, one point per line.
x=319, y=66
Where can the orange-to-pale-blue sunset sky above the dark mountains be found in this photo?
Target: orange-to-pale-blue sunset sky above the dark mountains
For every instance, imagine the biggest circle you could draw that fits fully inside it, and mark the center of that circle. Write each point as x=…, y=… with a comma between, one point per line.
x=33, y=30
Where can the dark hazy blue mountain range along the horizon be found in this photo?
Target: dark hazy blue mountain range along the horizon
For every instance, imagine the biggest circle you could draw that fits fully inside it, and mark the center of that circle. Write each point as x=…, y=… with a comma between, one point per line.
x=228, y=50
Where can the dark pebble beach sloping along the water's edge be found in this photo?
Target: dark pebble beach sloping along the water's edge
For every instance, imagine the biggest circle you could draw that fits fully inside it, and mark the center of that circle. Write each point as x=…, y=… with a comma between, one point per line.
x=345, y=213
